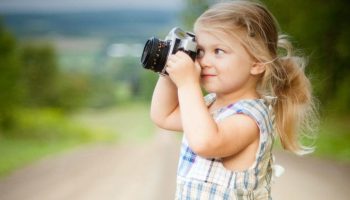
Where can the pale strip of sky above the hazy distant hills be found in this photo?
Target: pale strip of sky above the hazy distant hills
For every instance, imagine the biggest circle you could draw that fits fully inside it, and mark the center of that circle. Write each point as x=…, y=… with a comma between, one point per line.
x=76, y=5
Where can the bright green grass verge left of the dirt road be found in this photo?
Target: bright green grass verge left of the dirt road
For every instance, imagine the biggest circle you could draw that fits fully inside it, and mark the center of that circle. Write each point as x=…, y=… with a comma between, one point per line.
x=40, y=133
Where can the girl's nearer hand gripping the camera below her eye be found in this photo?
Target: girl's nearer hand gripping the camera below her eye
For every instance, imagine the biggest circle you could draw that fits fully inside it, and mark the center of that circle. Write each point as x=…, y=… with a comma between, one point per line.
x=182, y=70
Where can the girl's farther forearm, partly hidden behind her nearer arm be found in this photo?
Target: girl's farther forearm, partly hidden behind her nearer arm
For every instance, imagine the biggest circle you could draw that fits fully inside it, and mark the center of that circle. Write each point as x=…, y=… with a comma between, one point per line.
x=165, y=111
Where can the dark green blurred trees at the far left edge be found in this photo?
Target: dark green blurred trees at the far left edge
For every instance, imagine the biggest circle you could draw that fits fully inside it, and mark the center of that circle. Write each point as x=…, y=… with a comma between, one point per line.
x=30, y=77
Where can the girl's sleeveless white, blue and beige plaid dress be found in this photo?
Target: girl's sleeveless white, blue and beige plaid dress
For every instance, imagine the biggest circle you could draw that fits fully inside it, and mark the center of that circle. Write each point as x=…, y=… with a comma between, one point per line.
x=202, y=178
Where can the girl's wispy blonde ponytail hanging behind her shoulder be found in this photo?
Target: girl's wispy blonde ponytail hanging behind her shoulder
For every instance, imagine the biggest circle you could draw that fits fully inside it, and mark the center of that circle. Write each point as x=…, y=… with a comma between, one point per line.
x=295, y=112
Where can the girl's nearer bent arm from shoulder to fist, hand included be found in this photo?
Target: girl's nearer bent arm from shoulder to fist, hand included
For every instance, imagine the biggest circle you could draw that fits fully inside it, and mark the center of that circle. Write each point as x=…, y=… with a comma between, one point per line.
x=206, y=137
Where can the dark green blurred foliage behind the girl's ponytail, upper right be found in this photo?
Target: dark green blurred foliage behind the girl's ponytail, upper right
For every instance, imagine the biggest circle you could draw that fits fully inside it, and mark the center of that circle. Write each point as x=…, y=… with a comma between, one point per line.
x=322, y=30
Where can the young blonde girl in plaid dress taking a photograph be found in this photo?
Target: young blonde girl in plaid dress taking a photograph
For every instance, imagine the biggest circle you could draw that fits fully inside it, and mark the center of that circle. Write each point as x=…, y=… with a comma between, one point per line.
x=254, y=94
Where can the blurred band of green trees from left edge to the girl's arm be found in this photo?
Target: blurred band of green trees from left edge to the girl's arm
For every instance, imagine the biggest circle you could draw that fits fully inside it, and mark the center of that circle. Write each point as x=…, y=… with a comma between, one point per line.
x=32, y=78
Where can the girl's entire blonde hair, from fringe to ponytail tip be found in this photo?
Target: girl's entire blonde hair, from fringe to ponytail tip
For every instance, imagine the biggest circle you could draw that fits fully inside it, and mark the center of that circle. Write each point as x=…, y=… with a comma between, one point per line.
x=284, y=77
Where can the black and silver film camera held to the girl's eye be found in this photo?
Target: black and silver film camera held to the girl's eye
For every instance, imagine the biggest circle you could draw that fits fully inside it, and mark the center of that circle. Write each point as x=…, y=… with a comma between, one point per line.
x=156, y=52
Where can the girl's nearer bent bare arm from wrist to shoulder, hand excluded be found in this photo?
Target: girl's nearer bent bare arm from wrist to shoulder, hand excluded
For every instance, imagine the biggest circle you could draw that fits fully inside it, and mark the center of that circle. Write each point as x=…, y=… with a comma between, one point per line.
x=208, y=138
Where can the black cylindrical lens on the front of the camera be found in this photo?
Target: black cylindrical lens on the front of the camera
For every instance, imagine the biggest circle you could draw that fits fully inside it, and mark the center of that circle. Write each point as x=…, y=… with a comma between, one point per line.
x=155, y=54
